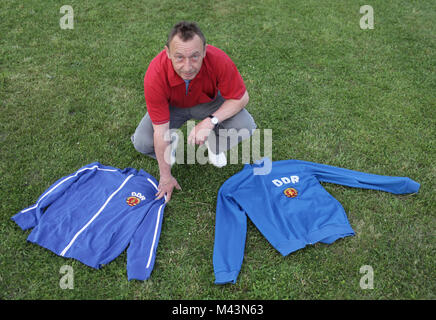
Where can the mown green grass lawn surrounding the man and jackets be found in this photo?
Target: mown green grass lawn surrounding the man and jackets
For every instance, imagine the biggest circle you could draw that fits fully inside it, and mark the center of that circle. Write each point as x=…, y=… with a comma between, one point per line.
x=331, y=92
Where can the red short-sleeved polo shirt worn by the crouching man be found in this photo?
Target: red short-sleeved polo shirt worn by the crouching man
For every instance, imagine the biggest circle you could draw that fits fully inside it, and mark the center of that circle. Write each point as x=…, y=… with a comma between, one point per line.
x=164, y=87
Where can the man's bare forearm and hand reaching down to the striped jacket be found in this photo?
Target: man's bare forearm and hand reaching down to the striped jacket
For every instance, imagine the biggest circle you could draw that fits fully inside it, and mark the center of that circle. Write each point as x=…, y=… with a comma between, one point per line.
x=162, y=150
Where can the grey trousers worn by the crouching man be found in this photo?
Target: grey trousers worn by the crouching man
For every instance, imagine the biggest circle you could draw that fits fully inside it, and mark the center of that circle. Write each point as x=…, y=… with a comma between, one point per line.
x=220, y=139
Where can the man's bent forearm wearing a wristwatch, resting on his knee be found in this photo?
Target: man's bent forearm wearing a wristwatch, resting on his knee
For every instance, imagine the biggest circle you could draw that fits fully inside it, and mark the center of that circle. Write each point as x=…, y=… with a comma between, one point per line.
x=228, y=109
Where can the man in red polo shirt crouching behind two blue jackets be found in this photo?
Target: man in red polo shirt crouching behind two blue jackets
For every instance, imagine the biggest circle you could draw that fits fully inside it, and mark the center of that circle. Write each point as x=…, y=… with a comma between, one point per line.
x=190, y=79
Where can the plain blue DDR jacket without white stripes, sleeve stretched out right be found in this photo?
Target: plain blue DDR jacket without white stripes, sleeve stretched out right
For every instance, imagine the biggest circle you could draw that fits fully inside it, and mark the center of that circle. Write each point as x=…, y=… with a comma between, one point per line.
x=288, y=206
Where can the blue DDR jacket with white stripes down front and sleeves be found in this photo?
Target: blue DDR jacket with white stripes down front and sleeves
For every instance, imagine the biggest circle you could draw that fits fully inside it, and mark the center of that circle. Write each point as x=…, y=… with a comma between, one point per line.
x=93, y=214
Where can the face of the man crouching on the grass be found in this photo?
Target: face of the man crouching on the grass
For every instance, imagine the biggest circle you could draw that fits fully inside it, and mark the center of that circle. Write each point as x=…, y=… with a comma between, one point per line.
x=187, y=57
